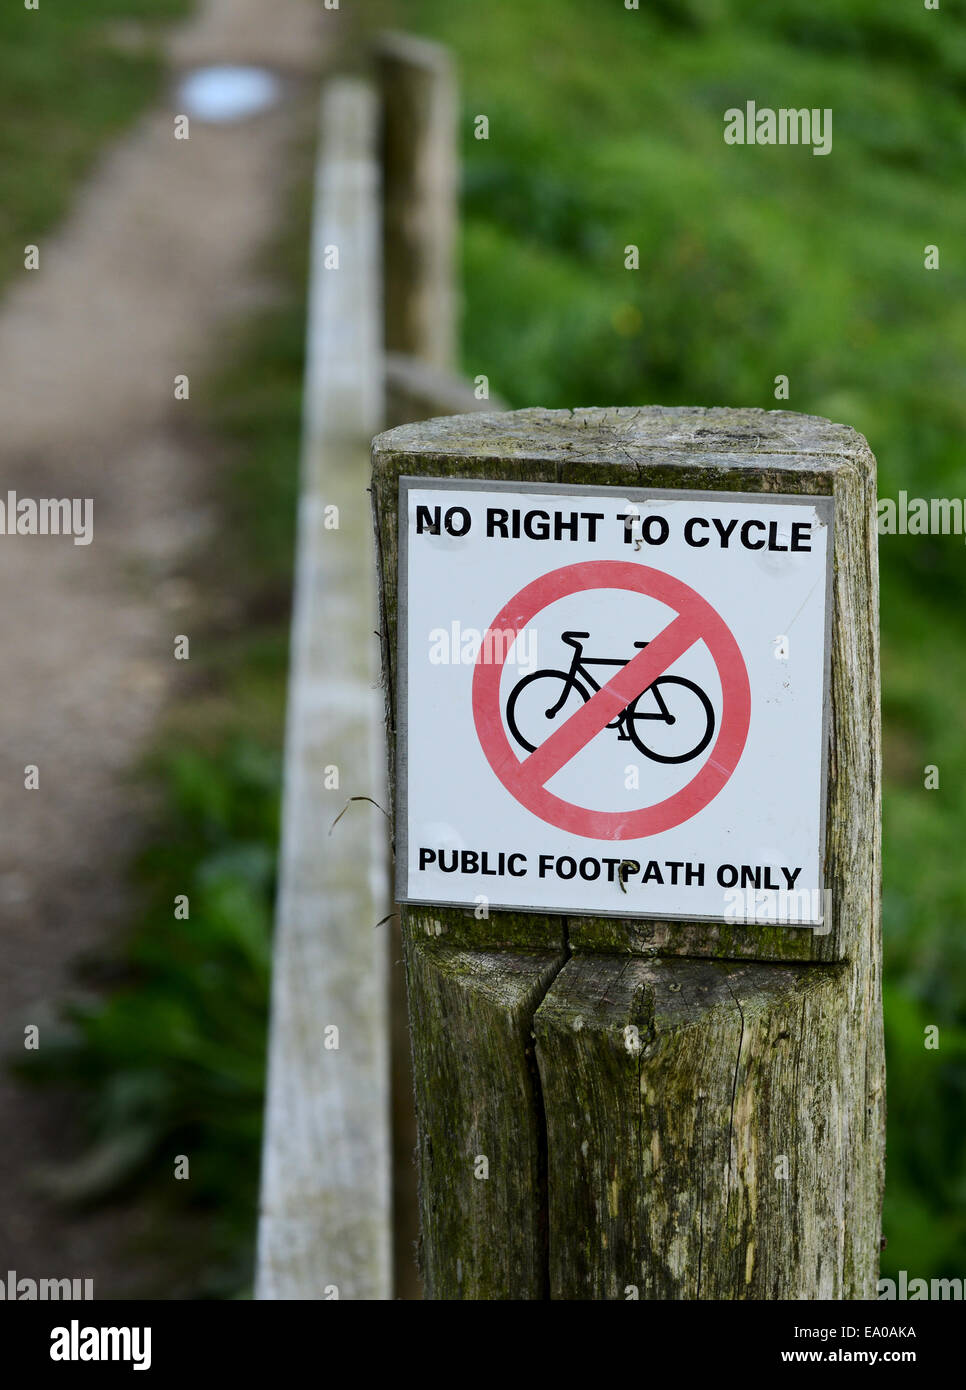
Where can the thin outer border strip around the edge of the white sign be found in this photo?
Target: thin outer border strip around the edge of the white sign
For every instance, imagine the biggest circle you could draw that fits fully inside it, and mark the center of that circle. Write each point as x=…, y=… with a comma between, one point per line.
x=825, y=505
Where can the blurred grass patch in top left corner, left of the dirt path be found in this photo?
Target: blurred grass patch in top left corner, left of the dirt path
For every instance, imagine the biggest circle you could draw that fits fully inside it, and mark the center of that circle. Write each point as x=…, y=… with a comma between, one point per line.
x=73, y=76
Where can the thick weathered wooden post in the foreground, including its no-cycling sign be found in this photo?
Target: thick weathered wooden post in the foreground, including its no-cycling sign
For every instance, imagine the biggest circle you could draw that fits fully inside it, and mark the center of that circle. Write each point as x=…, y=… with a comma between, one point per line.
x=633, y=692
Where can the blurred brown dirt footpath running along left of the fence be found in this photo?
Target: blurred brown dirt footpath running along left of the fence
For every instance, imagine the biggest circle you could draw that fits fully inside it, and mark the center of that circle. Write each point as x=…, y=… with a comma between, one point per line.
x=142, y=284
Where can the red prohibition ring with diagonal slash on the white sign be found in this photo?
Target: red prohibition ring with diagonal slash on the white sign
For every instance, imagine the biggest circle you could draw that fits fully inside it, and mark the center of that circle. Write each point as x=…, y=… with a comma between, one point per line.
x=697, y=621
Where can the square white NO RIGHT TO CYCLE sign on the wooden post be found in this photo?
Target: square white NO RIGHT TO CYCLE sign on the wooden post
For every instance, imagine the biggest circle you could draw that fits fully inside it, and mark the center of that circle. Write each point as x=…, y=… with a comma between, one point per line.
x=614, y=704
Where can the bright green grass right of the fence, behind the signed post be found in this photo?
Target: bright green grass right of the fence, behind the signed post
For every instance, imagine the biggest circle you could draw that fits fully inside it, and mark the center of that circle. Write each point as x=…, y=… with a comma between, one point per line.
x=607, y=130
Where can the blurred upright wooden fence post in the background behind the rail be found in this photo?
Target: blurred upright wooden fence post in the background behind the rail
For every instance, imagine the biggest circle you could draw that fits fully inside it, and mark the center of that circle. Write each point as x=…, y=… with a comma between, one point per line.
x=420, y=173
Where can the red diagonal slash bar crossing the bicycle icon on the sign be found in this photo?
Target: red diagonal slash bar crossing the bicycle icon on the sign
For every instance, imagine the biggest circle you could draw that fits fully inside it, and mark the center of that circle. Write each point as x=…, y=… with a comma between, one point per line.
x=586, y=723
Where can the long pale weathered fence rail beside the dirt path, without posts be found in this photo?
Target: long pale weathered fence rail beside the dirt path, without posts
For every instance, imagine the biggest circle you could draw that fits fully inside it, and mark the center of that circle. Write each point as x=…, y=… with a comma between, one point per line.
x=326, y=1220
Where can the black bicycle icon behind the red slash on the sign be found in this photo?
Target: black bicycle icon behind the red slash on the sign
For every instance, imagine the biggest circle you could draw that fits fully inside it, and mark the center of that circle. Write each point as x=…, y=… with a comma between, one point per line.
x=678, y=703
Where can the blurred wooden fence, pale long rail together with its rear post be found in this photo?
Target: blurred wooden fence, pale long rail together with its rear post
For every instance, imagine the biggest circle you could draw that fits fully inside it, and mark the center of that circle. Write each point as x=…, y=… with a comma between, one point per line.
x=326, y=1220
